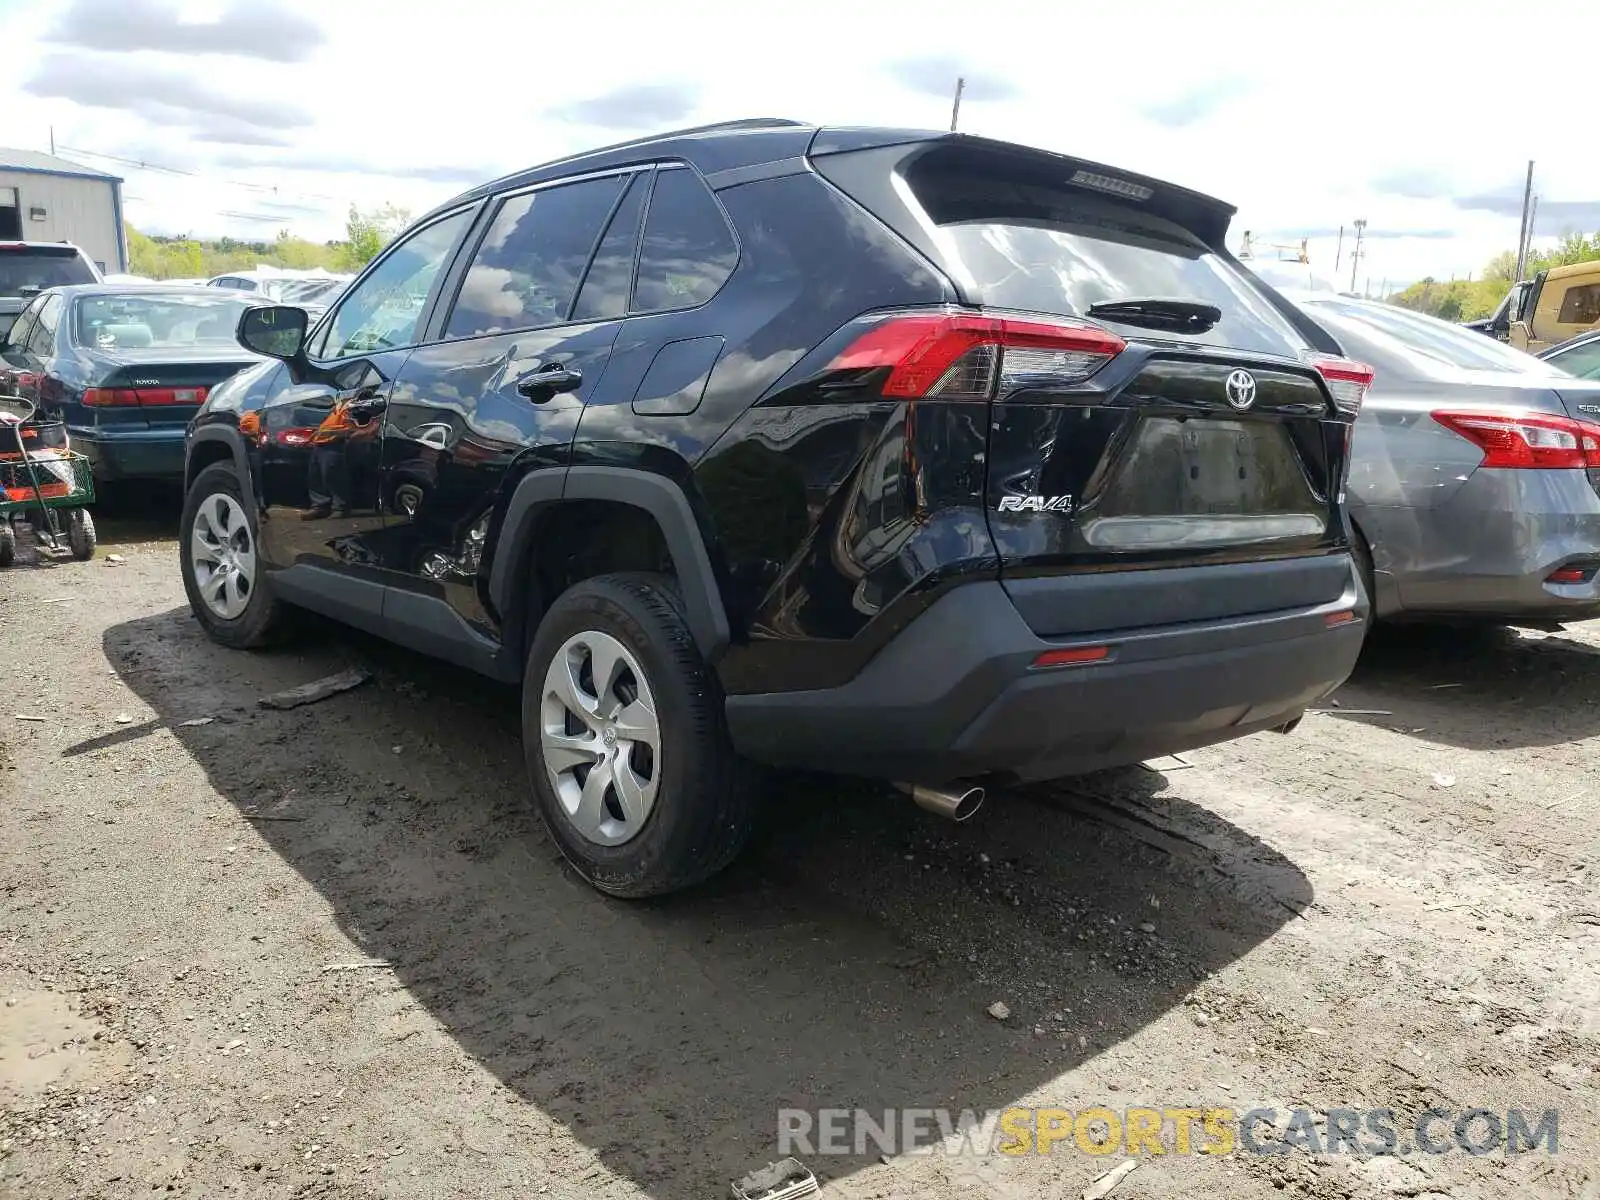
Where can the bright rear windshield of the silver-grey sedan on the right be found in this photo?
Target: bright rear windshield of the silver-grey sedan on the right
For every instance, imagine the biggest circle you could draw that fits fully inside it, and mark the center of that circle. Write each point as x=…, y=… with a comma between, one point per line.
x=1415, y=345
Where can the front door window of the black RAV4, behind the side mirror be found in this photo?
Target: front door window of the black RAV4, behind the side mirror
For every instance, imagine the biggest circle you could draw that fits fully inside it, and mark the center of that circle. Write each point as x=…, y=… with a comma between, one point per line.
x=383, y=310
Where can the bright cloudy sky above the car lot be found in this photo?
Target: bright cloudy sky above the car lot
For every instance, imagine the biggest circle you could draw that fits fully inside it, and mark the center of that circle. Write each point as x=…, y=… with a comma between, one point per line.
x=1418, y=116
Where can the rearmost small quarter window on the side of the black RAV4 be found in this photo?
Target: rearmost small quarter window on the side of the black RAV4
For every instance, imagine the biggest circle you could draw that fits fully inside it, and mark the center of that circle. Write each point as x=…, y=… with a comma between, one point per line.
x=689, y=250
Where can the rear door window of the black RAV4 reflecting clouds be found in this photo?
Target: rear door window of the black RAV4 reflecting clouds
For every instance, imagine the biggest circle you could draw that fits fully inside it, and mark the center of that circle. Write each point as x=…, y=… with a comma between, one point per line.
x=530, y=263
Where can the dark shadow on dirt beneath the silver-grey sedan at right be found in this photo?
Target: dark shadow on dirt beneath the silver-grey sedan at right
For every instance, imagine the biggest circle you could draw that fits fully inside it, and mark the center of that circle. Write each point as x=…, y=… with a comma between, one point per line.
x=1476, y=687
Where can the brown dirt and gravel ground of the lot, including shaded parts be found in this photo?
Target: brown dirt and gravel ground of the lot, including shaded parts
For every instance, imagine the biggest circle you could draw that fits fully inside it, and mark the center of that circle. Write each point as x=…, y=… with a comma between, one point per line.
x=326, y=953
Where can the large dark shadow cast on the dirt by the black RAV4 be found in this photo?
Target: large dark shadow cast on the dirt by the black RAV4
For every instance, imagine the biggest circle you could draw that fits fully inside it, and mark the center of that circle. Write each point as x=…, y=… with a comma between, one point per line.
x=846, y=962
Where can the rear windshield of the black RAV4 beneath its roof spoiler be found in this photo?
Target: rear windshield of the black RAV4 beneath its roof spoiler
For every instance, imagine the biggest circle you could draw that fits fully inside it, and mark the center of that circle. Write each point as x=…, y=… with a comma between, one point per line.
x=1058, y=250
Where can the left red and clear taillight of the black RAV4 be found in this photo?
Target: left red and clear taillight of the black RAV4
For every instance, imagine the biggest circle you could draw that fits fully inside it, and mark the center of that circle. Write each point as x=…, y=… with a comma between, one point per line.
x=969, y=358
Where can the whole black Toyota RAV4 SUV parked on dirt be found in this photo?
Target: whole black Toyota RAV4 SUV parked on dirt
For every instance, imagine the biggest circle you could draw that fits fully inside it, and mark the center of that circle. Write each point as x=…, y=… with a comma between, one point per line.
x=906, y=455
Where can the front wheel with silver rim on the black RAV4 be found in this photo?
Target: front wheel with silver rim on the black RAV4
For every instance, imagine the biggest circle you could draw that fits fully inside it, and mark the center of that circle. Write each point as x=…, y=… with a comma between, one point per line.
x=241, y=614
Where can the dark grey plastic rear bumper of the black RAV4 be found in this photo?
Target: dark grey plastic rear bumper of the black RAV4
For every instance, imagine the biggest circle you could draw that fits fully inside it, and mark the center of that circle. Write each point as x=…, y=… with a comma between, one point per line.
x=956, y=697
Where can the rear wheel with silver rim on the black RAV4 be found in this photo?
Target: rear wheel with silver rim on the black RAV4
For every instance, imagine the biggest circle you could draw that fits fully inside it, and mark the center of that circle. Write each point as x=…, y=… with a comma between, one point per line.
x=660, y=817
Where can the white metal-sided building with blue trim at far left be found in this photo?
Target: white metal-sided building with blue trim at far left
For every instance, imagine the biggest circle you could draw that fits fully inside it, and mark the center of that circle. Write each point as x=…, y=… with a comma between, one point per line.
x=47, y=199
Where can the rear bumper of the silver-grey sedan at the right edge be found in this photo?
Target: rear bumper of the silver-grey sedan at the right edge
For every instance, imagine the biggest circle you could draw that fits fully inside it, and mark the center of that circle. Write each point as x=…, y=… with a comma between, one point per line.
x=1489, y=551
